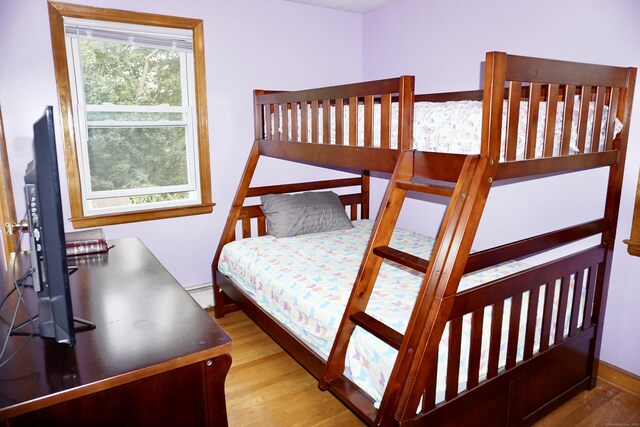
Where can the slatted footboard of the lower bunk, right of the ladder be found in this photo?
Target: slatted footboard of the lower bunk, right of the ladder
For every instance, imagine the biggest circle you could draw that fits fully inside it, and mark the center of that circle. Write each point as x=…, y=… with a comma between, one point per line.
x=564, y=288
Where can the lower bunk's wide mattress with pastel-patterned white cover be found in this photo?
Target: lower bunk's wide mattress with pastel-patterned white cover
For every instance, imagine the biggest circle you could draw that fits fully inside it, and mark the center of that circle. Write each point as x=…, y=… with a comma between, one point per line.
x=305, y=281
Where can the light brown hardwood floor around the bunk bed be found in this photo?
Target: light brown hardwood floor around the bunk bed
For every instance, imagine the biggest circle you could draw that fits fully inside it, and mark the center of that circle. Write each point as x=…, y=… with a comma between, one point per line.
x=265, y=387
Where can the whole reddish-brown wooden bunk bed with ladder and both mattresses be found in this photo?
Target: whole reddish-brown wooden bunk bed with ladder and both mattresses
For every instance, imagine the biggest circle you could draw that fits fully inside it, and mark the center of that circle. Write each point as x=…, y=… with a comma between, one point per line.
x=480, y=335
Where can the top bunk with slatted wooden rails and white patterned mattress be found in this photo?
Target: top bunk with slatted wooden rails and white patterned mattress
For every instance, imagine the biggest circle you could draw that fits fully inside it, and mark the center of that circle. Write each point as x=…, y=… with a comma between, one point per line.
x=535, y=116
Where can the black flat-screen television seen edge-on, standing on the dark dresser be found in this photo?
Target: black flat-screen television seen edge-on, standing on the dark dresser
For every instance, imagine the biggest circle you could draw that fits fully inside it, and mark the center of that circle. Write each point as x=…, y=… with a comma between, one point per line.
x=49, y=266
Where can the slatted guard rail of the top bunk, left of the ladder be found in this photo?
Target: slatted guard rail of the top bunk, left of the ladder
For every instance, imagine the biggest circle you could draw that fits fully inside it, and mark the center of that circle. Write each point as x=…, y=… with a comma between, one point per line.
x=317, y=116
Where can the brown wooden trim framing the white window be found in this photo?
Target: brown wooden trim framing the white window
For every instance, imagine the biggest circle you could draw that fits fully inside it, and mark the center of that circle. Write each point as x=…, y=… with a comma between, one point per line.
x=57, y=12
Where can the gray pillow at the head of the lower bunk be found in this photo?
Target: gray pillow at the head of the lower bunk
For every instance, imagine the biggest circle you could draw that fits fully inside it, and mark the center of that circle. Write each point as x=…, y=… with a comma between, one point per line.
x=312, y=212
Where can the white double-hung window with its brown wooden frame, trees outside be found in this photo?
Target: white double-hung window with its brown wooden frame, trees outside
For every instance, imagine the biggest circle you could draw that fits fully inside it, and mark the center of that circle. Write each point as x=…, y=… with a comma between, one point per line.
x=132, y=85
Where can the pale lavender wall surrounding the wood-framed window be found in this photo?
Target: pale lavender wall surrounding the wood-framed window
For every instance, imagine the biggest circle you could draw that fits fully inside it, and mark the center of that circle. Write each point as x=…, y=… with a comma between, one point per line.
x=249, y=44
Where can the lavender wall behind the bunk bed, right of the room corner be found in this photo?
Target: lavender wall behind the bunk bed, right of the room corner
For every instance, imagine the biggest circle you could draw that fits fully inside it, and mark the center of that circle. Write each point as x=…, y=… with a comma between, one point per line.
x=443, y=44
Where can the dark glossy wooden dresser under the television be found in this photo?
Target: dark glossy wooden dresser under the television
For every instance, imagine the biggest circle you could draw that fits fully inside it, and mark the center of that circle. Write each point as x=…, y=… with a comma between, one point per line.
x=155, y=358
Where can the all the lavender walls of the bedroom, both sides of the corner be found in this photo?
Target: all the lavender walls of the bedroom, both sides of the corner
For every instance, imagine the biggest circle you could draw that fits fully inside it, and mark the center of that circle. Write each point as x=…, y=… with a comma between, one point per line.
x=274, y=44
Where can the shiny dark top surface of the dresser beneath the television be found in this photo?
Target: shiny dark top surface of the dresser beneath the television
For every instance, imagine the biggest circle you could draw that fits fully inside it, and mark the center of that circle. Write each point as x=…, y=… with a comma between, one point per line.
x=146, y=324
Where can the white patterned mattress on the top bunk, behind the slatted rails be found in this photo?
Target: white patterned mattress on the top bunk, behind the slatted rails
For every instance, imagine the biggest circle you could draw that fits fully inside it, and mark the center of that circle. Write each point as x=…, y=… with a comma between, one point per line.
x=456, y=127
